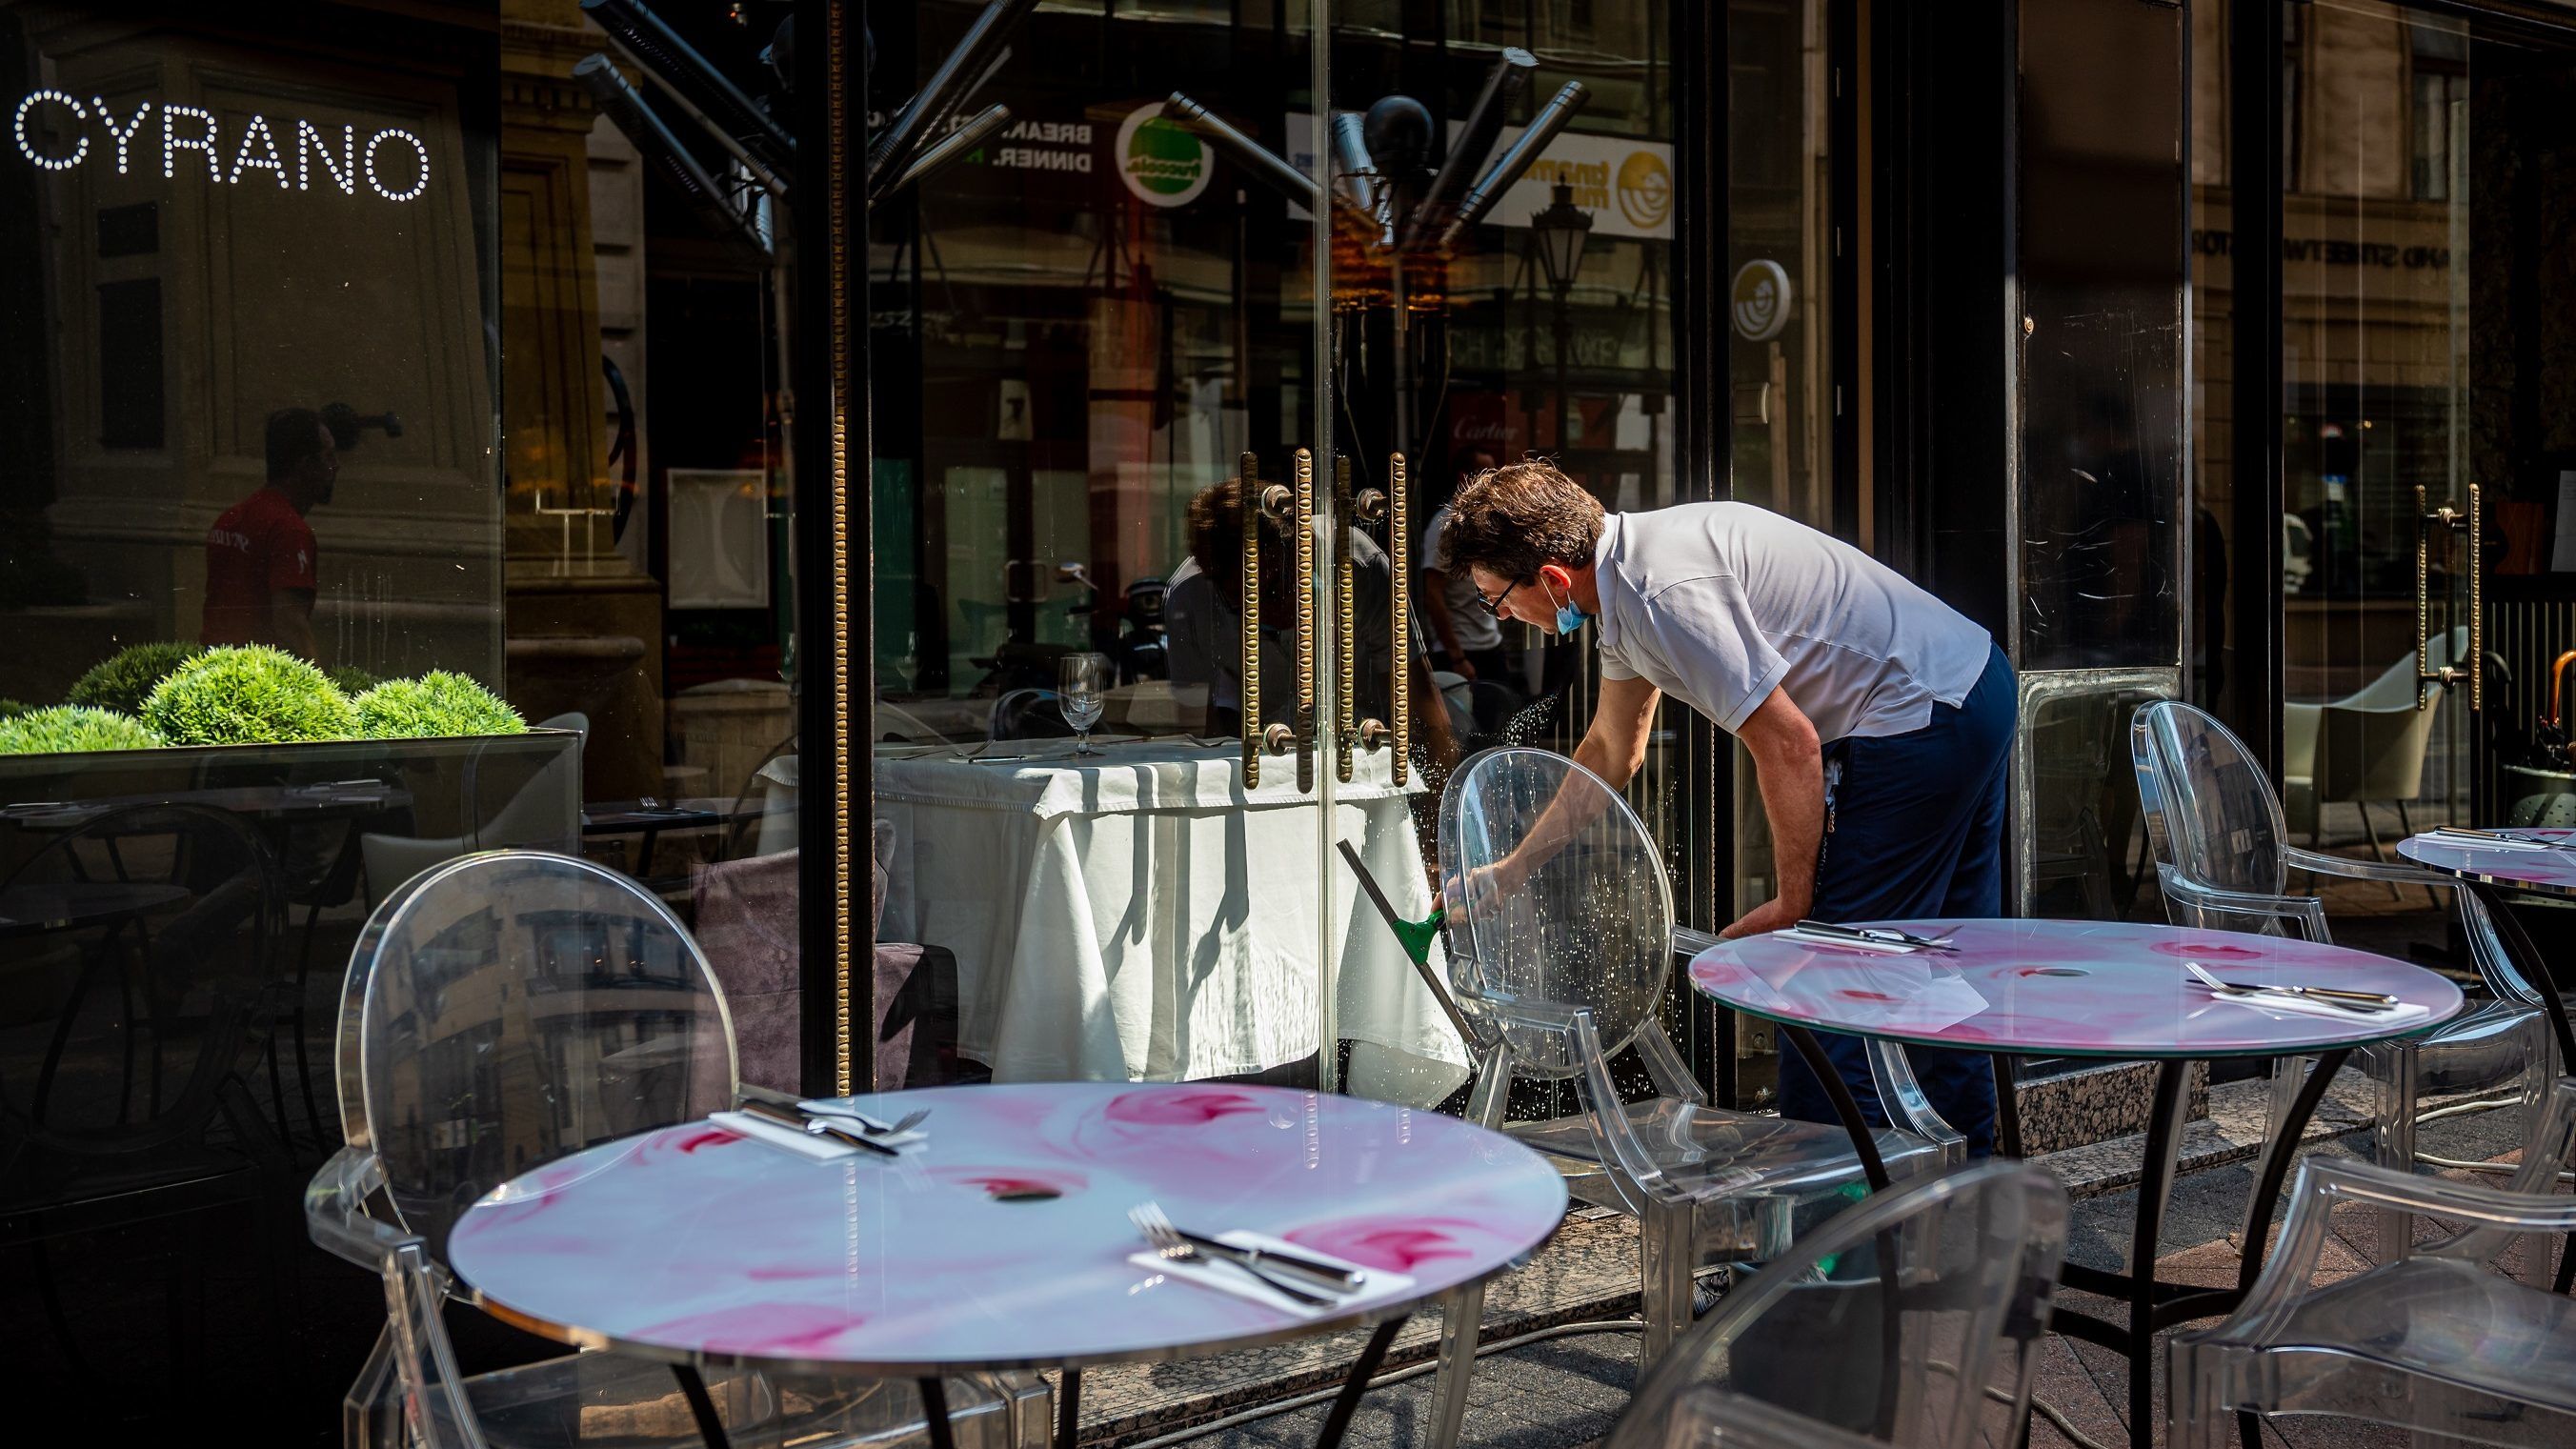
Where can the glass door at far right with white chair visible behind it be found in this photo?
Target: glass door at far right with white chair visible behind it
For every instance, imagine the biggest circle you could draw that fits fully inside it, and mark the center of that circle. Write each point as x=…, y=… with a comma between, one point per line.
x=2382, y=496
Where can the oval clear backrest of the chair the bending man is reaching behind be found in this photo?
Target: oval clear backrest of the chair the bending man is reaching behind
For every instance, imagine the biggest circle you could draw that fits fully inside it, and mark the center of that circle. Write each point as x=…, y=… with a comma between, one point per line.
x=1591, y=929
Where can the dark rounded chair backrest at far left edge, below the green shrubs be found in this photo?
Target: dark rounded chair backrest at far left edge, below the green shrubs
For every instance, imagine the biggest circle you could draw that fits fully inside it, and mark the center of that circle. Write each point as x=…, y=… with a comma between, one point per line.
x=143, y=958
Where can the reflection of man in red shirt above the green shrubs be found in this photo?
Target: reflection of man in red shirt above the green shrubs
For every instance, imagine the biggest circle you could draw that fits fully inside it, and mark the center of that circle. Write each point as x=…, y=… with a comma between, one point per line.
x=261, y=553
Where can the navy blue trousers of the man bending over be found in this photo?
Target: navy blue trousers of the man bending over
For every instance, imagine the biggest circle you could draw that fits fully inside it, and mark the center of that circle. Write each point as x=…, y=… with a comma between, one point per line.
x=1918, y=831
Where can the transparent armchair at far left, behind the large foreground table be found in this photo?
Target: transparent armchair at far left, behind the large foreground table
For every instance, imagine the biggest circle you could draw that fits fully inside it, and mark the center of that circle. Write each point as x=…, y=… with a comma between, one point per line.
x=501, y=1012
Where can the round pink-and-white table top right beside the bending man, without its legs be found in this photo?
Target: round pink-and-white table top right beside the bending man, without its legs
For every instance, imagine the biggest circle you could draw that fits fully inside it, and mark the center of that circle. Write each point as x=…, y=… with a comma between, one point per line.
x=2078, y=989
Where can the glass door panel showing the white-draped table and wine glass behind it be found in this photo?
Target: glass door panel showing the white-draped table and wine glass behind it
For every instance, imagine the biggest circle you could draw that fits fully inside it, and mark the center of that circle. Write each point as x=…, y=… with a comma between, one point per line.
x=1104, y=491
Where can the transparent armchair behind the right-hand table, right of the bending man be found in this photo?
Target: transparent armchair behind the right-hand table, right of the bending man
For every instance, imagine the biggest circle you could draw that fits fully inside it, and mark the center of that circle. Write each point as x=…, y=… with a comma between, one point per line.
x=2224, y=860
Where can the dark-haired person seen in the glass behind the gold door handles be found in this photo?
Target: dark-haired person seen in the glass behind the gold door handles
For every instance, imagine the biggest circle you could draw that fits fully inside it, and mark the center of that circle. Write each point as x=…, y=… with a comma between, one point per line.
x=1207, y=641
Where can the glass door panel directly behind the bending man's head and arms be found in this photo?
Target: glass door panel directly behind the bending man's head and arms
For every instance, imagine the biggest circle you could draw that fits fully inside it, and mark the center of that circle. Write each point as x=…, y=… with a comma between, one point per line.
x=1503, y=236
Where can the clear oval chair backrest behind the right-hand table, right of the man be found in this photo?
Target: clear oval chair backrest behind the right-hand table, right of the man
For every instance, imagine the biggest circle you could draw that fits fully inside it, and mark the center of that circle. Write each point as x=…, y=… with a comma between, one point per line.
x=2209, y=806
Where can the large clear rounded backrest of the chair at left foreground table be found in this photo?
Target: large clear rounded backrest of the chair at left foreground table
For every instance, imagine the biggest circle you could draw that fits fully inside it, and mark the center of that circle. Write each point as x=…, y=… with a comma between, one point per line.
x=509, y=1009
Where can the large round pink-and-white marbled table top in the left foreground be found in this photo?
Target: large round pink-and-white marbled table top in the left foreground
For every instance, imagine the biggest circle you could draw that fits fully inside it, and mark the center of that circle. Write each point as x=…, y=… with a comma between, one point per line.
x=1003, y=1241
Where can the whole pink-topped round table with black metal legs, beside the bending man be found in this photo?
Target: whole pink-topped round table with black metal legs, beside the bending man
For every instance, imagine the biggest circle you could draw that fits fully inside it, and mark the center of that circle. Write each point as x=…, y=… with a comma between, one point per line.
x=2090, y=989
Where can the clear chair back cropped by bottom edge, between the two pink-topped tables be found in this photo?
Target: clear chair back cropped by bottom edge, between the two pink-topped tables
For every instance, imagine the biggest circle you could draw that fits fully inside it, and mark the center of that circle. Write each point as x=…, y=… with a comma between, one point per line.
x=1915, y=1319
